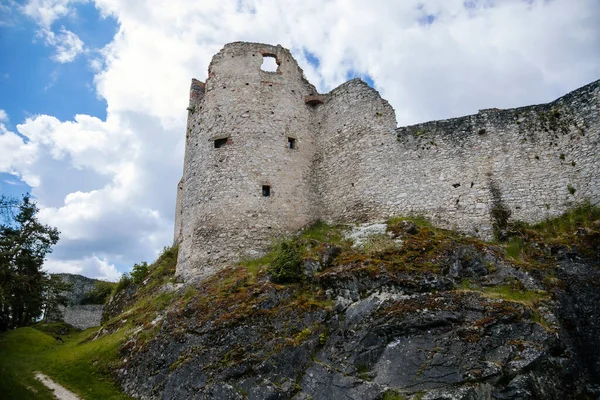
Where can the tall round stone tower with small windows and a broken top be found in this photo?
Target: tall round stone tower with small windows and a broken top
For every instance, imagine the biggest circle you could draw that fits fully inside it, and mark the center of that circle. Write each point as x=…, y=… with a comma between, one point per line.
x=224, y=211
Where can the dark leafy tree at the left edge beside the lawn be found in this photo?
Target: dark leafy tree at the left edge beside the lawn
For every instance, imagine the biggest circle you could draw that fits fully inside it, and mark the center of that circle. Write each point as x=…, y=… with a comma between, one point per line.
x=24, y=243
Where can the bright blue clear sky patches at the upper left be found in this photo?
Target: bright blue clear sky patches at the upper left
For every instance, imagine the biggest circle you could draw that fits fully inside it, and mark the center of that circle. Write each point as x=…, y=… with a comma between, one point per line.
x=32, y=83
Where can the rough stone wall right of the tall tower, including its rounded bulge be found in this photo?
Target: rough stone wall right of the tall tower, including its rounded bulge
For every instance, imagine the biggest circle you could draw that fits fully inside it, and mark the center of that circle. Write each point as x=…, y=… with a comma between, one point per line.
x=536, y=161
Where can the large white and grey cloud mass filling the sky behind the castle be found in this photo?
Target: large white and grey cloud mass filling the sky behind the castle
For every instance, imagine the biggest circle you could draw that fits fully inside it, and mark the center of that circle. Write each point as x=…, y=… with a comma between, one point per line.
x=109, y=185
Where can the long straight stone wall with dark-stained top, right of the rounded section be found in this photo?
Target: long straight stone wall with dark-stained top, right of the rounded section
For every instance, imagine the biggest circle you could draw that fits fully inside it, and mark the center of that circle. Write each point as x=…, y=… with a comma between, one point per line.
x=529, y=159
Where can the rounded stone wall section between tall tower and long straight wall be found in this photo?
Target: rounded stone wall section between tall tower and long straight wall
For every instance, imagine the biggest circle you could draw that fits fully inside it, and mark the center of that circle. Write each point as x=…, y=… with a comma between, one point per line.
x=356, y=127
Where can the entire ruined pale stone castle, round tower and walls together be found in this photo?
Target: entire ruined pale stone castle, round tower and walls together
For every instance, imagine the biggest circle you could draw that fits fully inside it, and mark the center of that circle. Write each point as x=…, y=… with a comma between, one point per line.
x=266, y=155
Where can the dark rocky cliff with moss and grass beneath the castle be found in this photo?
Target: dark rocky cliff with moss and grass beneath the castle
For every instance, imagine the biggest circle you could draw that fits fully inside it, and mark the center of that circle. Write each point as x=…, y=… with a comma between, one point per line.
x=416, y=313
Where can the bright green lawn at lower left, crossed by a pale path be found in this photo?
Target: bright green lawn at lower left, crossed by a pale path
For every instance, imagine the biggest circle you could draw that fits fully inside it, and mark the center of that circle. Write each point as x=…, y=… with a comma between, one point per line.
x=81, y=366
